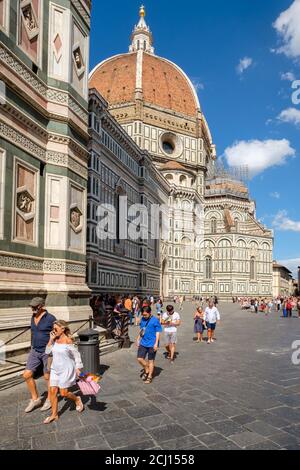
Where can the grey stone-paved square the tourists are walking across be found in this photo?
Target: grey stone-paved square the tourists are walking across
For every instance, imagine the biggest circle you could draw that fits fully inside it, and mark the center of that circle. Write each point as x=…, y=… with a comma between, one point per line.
x=242, y=392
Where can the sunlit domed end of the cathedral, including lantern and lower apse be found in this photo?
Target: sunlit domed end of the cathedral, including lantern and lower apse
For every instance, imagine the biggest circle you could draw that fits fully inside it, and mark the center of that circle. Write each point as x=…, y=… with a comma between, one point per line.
x=215, y=244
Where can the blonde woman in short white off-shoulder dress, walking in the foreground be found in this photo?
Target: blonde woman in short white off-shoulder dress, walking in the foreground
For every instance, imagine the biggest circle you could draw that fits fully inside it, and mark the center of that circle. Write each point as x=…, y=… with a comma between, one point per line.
x=65, y=367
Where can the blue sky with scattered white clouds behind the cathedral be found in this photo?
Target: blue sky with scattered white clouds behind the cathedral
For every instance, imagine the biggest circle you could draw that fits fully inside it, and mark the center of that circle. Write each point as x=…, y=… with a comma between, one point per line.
x=242, y=56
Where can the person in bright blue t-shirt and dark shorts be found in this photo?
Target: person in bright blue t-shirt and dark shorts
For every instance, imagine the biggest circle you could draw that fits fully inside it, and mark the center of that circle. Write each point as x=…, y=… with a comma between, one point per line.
x=148, y=343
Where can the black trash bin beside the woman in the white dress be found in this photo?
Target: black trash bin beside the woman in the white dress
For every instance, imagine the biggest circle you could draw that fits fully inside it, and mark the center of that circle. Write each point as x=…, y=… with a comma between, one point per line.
x=88, y=347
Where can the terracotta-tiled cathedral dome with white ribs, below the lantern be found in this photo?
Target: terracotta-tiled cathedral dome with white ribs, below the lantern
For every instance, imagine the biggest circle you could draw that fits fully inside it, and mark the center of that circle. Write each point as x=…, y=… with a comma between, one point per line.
x=161, y=82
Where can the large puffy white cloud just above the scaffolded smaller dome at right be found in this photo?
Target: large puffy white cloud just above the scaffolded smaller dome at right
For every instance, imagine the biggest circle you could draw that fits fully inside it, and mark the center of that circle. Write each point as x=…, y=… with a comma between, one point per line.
x=258, y=155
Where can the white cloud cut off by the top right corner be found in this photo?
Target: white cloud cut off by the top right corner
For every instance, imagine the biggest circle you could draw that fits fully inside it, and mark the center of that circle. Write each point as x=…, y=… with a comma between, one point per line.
x=287, y=26
